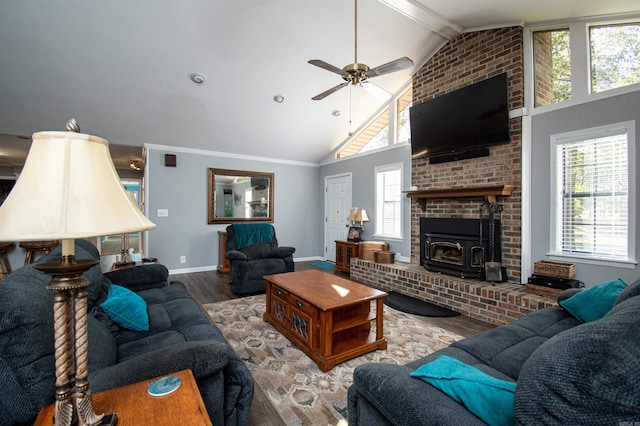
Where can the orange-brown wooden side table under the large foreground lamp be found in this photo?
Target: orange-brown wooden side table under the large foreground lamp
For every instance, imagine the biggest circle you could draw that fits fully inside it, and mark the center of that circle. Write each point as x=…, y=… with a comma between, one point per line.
x=134, y=405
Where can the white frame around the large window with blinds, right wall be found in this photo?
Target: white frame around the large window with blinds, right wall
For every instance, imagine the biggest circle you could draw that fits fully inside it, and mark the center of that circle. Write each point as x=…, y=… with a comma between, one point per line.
x=557, y=141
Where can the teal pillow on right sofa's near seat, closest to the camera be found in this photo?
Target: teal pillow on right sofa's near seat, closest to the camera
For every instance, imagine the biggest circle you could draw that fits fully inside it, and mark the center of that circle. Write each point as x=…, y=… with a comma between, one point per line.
x=485, y=396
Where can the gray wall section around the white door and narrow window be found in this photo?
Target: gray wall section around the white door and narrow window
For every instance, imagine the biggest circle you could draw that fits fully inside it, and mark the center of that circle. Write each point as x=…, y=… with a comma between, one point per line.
x=362, y=169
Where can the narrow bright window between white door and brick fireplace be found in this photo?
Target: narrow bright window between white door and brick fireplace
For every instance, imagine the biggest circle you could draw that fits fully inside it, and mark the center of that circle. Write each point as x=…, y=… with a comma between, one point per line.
x=388, y=201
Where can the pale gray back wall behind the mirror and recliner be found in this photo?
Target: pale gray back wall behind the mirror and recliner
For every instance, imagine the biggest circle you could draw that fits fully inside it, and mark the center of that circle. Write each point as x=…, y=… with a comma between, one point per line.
x=183, y=191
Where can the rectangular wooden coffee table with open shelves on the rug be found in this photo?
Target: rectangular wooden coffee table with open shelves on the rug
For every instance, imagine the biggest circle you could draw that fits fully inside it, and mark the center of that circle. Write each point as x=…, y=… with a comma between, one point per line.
x=328, y=317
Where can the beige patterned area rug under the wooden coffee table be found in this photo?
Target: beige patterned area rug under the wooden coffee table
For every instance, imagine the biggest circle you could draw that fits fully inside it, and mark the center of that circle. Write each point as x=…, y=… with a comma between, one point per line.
x=297, y=389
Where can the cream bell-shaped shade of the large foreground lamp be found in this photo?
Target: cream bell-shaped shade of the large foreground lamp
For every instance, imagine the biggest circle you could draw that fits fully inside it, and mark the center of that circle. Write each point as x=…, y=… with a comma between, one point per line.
x=69, y=188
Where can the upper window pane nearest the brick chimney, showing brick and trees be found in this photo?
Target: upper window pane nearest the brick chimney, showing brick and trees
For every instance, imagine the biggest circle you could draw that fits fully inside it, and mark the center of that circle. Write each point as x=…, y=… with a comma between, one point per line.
x=552, y=66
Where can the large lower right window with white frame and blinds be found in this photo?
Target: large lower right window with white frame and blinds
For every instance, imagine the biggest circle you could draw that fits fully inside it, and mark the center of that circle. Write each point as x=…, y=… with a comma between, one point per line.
x=592, y=204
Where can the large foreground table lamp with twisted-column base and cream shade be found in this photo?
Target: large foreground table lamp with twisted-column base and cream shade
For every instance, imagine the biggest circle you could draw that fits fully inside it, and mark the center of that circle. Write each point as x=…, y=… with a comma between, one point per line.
x=69, y=189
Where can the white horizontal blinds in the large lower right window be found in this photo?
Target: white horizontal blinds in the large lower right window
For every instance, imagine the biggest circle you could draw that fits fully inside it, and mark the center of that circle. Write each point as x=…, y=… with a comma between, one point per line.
x=593, y=200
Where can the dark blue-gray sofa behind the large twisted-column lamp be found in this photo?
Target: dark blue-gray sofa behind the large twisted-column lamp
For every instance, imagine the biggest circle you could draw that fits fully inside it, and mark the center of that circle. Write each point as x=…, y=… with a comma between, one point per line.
x=180, y=336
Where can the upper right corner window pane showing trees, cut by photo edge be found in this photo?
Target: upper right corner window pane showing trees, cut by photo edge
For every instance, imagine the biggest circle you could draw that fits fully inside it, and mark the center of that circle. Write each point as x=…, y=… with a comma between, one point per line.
x=615, y=56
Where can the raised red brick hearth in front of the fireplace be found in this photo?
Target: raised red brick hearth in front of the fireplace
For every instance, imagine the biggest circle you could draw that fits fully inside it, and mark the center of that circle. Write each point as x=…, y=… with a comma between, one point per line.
x=499, y=304
